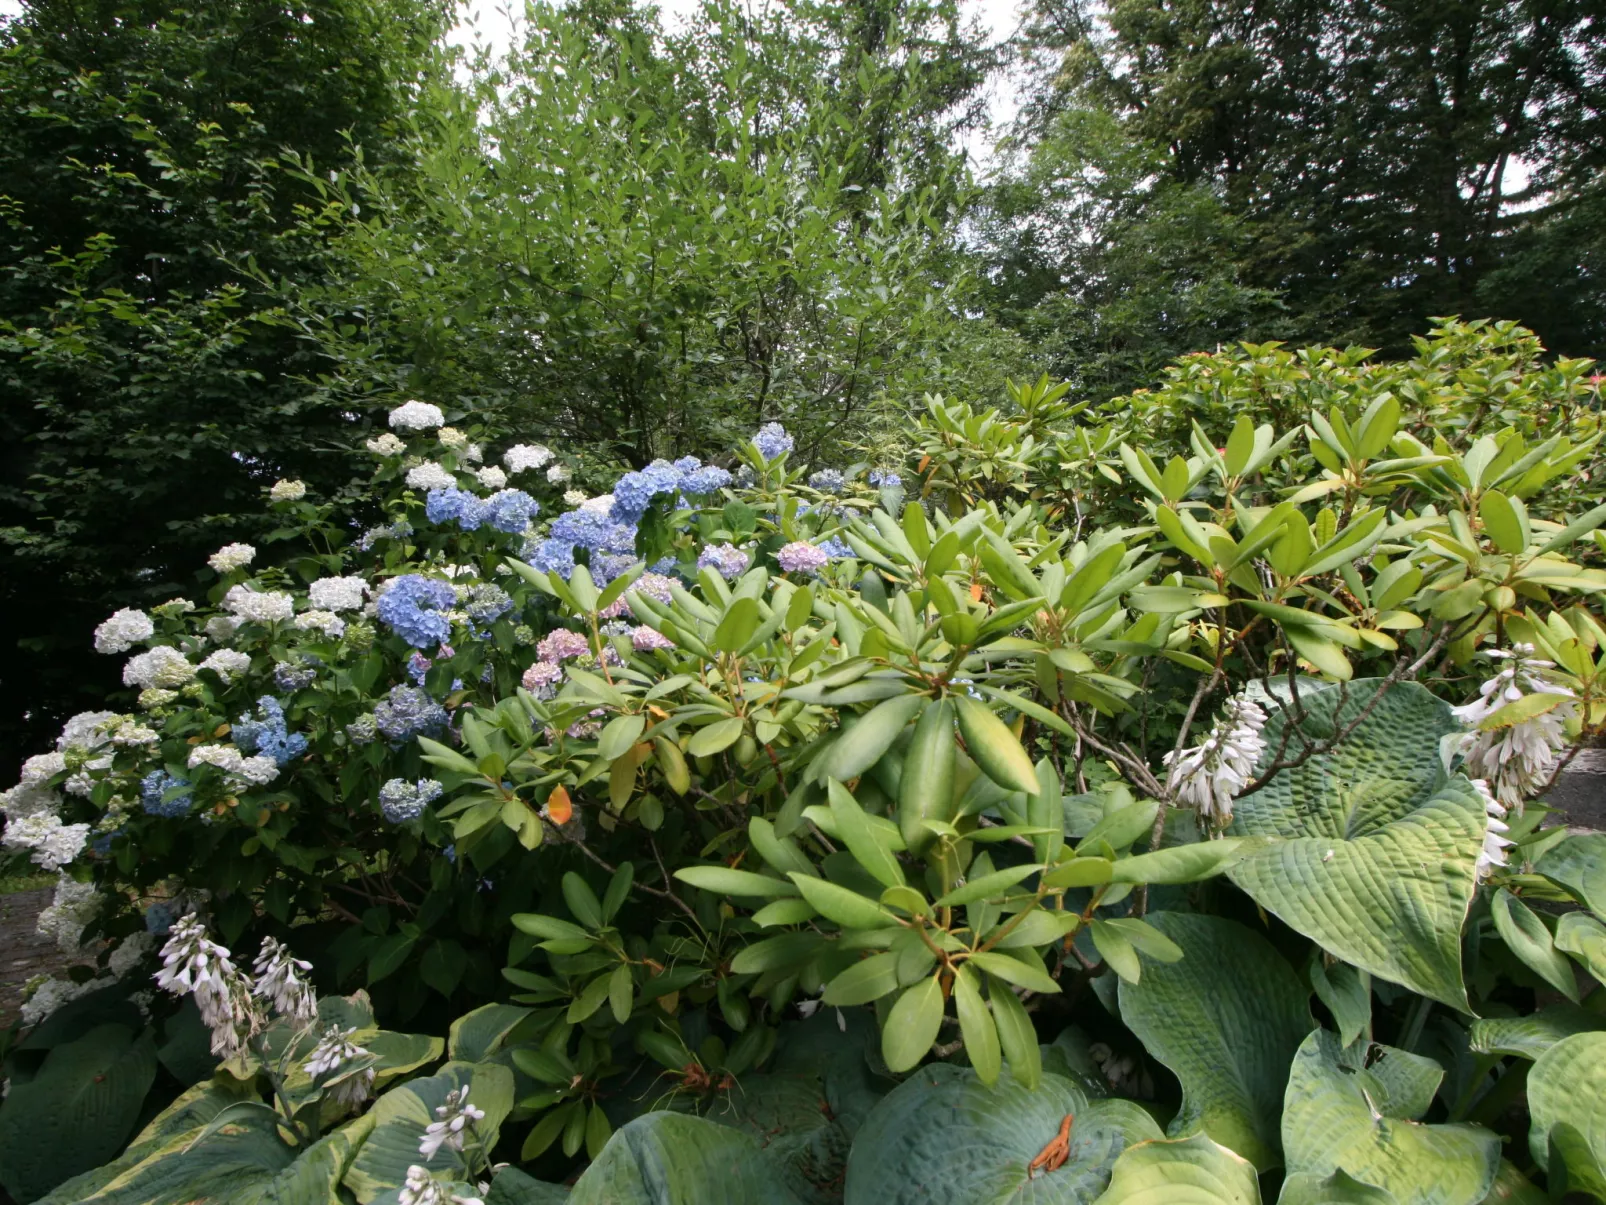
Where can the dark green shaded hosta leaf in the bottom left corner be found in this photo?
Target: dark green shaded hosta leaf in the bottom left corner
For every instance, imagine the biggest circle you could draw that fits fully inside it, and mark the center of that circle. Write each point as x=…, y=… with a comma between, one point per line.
x=78, y=1111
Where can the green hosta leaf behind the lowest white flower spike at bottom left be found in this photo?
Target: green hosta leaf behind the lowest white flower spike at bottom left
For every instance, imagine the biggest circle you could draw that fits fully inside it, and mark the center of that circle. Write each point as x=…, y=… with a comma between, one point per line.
x=402, y=1116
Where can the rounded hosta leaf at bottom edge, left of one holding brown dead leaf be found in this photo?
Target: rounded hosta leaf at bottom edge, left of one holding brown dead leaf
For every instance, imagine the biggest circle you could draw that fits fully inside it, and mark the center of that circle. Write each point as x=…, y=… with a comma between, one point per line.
x=671, y=1159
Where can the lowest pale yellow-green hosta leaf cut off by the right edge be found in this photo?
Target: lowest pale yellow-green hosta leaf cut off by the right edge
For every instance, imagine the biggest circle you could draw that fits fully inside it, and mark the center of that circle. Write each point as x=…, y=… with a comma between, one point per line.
x=1567, y=1105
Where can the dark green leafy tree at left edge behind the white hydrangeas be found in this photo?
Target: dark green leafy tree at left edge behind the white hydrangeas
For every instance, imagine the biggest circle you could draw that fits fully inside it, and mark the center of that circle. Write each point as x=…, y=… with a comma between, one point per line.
x=150, y=391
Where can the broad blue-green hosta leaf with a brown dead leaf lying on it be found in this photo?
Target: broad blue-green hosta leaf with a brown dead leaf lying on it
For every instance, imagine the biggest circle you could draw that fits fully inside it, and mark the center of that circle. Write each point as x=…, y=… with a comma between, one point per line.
x=945, y=1138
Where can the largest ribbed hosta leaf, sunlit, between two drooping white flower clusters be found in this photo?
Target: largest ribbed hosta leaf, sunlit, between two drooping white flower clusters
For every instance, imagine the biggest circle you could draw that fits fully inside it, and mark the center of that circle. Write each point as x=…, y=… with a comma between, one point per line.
x=1379, y=844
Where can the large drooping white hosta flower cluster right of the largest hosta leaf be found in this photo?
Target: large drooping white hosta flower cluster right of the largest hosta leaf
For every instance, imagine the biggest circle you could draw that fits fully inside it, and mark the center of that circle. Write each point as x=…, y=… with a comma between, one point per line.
x=1520, y=759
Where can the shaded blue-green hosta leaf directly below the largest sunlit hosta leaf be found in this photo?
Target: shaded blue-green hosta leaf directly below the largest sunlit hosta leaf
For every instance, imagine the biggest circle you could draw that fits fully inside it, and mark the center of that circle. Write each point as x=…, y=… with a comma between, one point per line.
x=1226, y=1019
